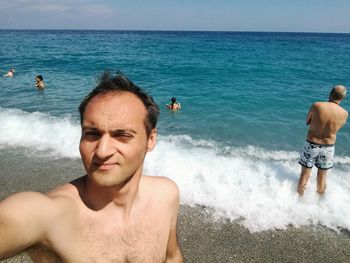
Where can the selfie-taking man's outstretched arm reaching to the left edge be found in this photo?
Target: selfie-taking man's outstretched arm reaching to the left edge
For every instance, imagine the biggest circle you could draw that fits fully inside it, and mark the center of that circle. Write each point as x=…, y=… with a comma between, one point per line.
x=23, y=222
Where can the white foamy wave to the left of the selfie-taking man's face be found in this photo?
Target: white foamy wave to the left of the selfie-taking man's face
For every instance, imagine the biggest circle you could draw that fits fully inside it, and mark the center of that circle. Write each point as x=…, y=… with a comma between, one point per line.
x=41, y=132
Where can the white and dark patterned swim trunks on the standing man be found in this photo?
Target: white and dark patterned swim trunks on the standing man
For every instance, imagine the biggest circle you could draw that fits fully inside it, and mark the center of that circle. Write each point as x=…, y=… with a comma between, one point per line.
x=320, y=155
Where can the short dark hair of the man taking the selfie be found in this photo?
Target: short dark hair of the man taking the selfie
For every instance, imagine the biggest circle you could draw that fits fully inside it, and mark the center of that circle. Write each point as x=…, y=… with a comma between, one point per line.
x=120, y=83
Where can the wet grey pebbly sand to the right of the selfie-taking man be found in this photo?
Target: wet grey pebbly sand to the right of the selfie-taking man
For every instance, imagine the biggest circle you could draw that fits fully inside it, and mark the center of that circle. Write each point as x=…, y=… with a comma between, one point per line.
x=202, y=240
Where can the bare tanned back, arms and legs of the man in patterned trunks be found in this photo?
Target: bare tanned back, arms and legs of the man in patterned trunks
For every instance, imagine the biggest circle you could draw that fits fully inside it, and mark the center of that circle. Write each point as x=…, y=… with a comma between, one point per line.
x=325, y=120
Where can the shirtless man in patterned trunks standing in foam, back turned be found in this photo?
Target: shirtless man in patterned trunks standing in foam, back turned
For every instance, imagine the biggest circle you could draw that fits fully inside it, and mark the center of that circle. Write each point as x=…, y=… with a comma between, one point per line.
x=325, y=119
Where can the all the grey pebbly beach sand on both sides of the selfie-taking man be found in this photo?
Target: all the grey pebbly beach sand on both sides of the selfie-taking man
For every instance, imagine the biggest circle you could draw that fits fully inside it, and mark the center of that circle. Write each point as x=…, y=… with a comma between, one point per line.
x=200, y=237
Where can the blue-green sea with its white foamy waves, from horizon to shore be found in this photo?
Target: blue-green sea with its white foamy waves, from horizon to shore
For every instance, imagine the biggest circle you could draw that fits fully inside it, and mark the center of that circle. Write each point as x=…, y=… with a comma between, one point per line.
x=234, y=145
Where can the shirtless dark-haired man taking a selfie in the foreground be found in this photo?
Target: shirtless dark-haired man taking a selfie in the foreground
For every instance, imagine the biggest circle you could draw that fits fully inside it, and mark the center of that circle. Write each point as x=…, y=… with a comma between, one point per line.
x=112, y=214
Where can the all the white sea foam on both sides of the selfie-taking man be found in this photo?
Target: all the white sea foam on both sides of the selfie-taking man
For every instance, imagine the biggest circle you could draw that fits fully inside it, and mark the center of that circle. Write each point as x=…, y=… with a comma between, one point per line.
x=253, y=185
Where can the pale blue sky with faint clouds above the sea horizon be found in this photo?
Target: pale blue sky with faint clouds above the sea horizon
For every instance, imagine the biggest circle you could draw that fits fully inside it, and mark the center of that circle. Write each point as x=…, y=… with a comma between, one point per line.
x=204, y=15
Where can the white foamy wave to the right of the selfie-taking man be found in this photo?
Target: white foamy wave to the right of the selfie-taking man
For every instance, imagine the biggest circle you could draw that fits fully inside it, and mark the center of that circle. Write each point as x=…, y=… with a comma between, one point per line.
x=253, y=185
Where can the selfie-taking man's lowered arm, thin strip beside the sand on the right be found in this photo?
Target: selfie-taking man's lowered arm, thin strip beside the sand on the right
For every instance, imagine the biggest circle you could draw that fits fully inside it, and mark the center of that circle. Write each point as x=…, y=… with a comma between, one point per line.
x=173, y=254
